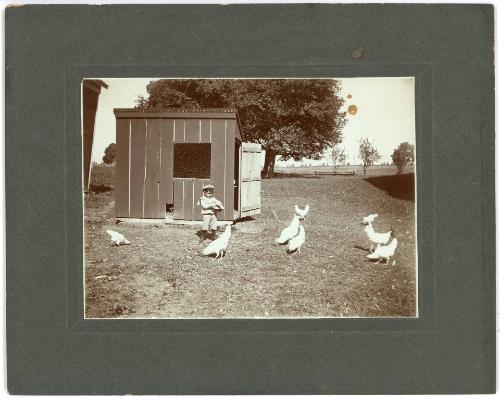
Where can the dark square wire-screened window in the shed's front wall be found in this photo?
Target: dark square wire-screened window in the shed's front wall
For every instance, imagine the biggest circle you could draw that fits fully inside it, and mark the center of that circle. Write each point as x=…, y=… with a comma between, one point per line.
x=192, y=160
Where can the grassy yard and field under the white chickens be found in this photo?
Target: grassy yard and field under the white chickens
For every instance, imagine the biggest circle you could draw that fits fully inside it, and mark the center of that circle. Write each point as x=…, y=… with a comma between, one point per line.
x=161, y=274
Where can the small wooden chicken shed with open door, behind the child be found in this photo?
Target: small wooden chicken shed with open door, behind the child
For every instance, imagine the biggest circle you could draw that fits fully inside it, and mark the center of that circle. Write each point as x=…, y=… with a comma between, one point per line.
x=164, y=157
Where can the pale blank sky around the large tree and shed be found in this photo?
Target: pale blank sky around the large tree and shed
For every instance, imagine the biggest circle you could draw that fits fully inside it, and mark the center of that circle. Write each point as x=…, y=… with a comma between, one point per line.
x=385, y=114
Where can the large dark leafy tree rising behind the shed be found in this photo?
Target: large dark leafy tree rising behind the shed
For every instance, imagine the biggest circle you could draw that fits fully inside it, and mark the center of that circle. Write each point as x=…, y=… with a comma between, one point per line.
x=293, y=118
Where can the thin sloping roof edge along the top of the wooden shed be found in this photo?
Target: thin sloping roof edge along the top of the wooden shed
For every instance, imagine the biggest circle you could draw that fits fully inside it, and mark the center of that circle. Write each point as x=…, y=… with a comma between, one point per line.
x=183, y=113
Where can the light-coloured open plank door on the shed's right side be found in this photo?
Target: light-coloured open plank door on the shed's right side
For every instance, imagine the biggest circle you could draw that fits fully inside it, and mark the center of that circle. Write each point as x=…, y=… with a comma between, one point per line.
x=250, y=179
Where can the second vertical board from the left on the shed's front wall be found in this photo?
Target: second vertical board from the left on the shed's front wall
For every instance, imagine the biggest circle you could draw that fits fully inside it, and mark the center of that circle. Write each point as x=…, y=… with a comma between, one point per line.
x=137, y=167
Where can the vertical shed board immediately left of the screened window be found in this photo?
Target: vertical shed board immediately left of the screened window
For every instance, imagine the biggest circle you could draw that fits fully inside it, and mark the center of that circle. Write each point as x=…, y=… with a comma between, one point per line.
x=167, y=162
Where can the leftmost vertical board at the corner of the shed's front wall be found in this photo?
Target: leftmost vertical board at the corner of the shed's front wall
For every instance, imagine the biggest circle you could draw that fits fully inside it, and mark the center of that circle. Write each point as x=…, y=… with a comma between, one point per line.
x=122, y=168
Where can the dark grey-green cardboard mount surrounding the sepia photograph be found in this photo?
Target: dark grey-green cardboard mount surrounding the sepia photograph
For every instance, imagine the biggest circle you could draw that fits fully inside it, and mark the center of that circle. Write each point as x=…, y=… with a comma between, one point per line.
x=449, y=348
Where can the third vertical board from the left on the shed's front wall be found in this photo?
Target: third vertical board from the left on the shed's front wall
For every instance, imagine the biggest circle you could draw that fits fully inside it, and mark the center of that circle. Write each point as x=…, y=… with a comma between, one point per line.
x=152, y=162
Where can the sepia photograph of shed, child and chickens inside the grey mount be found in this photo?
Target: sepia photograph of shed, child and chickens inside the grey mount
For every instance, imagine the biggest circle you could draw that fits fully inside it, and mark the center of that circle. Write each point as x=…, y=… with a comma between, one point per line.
x=249, y=198
